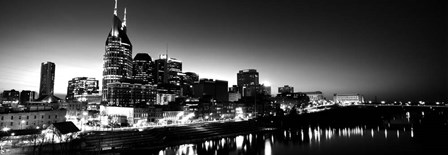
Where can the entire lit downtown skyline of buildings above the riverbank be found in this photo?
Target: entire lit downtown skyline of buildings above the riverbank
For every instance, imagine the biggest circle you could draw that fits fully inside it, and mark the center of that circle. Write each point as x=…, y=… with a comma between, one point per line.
x=140, y=91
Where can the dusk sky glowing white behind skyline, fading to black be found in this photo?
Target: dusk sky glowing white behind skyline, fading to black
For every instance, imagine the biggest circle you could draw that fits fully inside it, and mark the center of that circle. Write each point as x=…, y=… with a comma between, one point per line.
x=394, y=50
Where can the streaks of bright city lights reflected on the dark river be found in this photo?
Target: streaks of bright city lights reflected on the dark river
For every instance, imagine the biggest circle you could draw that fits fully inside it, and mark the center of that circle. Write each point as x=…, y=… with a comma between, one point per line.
x=251, y=142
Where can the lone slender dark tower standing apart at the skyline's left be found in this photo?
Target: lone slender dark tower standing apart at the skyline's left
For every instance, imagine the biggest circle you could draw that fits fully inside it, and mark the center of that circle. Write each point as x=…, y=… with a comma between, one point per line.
x=47, y=71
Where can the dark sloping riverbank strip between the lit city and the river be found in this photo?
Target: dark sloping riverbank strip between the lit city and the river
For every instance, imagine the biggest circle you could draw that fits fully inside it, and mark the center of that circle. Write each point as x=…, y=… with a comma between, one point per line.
x=153, y=139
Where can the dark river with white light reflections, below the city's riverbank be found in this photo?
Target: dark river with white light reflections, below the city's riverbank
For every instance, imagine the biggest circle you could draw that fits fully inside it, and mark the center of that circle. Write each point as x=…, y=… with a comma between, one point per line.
x=401, y=131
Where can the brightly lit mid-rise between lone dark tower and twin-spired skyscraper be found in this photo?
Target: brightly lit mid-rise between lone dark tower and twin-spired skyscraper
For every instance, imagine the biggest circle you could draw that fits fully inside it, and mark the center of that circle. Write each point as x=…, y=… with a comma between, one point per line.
x=82, y=88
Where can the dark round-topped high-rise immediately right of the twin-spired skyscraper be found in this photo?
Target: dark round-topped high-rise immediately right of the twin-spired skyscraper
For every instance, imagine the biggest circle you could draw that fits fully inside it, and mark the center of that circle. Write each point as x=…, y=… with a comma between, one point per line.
x=143, y=68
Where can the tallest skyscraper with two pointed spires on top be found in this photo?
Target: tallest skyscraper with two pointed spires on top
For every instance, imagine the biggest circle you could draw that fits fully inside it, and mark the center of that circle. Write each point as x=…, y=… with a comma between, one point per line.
x=118, y=55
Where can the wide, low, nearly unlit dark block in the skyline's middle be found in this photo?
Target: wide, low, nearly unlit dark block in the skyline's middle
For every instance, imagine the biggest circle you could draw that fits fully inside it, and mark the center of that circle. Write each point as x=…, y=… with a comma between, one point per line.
x=211, y=89
